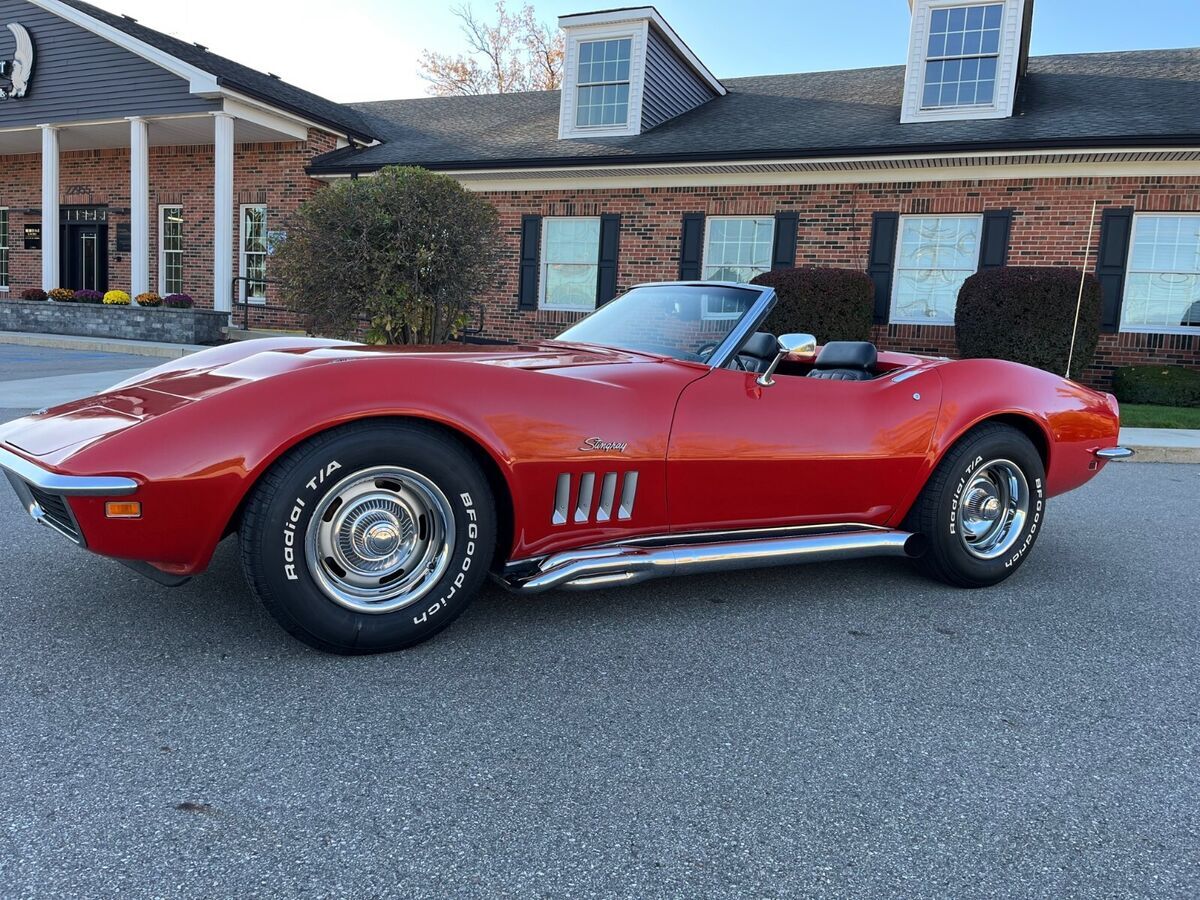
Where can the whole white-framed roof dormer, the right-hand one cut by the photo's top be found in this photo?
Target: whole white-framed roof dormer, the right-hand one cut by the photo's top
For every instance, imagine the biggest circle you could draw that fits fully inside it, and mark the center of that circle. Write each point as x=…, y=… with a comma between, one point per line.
x=964, y=59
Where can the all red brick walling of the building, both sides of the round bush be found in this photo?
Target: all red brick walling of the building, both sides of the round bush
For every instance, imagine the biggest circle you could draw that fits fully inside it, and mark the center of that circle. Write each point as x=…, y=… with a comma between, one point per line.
x=1051, y=223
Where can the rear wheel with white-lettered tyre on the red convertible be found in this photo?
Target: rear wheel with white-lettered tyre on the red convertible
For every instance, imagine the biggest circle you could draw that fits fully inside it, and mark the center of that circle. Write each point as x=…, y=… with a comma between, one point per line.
x=982, y=509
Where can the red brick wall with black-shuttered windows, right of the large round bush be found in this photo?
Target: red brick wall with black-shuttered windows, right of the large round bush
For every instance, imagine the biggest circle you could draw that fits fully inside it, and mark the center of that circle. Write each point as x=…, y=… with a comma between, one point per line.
x=1051, y=221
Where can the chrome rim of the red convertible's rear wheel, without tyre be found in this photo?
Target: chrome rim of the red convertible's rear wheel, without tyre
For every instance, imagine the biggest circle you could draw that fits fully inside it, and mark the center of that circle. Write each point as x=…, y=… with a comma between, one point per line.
x=993, y=509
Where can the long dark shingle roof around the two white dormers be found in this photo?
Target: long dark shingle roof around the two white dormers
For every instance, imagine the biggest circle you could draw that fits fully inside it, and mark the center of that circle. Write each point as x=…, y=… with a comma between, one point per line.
x=1067, y=101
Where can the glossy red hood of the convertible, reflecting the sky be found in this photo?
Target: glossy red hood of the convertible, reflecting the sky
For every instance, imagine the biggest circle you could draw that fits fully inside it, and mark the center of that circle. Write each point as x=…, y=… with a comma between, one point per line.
x=160, y=391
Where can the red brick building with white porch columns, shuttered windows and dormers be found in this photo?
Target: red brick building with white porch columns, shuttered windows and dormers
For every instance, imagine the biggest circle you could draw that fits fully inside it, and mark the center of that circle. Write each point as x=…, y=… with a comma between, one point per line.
x=645, y=167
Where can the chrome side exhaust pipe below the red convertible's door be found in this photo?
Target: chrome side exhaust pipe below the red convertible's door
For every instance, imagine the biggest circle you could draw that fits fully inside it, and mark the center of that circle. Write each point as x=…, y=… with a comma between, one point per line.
x=619, y=566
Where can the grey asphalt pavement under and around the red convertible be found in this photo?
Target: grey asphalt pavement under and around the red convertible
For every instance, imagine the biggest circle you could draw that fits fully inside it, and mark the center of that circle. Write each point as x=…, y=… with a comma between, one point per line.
x=844, y=730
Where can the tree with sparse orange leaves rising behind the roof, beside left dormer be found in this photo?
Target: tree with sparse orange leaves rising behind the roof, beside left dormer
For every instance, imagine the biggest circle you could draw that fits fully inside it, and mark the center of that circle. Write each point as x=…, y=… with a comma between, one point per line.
x=518, y=53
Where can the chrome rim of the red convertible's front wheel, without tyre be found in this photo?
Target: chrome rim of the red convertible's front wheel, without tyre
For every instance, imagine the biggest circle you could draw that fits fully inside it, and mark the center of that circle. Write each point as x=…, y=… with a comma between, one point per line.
x=381, y=539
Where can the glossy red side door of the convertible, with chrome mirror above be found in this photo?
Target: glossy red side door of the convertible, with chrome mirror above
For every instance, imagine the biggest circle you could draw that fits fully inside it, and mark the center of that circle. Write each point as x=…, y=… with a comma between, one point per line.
x=802, y=452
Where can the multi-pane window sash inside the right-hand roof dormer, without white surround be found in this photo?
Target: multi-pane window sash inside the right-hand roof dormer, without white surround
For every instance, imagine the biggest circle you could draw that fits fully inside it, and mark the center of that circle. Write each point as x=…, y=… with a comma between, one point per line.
x=961, y=67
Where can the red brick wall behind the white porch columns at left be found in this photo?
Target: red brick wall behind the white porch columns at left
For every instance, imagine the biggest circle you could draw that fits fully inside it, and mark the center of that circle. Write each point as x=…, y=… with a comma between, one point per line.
x=263, y=173
